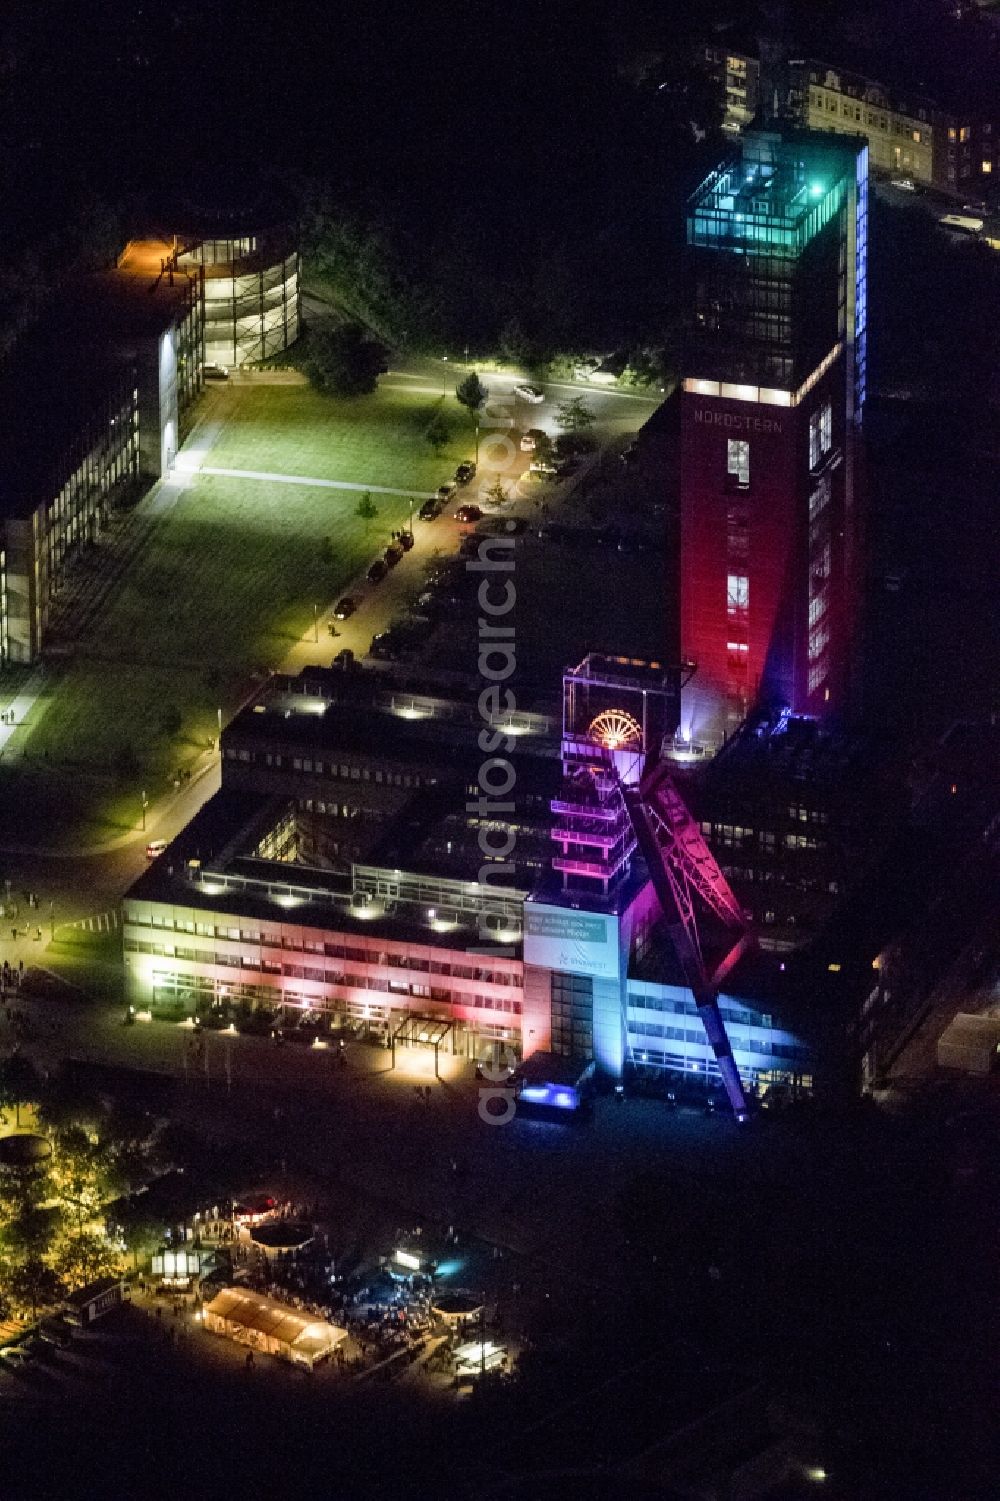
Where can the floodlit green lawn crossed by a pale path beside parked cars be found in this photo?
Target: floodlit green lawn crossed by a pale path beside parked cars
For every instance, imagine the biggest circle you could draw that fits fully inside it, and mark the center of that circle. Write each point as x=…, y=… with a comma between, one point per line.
x=226, y=585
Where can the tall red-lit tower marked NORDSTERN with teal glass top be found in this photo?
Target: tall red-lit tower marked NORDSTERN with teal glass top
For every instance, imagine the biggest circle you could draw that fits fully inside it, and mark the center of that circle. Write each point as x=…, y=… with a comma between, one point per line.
x=771, y=415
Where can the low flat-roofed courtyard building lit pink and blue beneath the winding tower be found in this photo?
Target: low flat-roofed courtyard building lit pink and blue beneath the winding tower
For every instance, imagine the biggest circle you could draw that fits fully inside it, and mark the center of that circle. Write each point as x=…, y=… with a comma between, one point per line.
x=352, y=871
